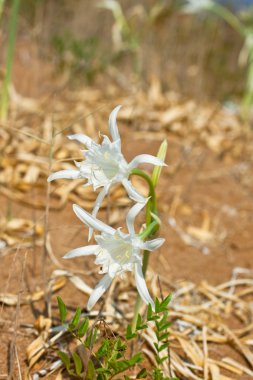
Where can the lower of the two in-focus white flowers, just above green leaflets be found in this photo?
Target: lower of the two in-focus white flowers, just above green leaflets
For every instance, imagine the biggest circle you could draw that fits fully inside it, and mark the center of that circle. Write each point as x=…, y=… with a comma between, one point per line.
x=116, y=252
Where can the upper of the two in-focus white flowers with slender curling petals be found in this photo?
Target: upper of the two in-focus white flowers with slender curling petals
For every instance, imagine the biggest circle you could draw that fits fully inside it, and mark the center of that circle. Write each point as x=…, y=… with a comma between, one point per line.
x=105, y=165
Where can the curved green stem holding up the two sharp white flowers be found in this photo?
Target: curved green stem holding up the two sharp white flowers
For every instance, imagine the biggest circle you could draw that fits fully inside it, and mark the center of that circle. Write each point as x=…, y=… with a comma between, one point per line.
x=151, y=227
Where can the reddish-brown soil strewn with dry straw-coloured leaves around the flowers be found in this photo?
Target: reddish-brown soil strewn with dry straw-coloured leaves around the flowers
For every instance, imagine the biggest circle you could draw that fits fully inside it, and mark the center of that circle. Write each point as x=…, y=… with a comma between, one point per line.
x=205, y=205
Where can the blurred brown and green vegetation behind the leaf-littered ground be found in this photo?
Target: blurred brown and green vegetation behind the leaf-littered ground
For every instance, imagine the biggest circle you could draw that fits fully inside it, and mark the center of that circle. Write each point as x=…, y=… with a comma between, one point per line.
x=197, y=54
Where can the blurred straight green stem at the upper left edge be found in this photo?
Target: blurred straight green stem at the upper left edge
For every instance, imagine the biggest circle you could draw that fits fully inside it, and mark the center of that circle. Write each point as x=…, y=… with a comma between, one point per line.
x=10, y=53
